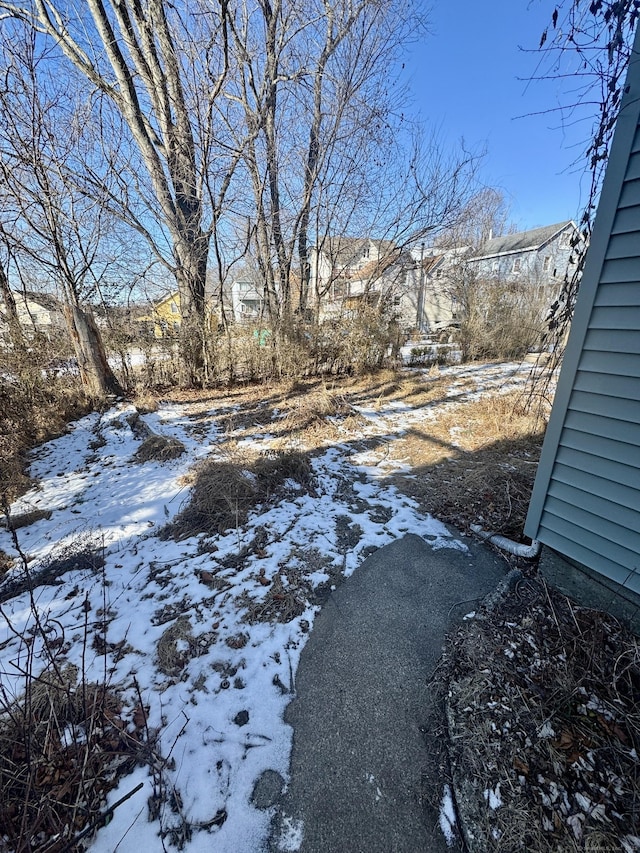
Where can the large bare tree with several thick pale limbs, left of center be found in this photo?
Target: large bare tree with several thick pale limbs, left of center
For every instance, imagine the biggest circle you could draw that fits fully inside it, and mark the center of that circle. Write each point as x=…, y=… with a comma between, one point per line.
x=161, y=67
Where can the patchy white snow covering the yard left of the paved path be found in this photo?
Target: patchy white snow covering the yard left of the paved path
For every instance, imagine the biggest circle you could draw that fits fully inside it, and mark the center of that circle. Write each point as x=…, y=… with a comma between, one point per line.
x=101, y=499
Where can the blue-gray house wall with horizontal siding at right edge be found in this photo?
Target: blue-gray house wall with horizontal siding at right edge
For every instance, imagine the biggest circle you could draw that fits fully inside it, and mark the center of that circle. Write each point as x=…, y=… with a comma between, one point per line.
x=586, y=499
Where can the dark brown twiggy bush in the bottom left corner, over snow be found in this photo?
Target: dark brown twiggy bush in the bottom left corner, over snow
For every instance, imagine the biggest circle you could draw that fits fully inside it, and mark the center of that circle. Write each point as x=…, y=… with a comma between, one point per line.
x=63, y=746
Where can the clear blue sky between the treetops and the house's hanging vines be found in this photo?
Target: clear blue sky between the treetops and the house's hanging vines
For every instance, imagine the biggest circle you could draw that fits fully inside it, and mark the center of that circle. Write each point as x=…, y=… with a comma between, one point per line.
x=469, y=78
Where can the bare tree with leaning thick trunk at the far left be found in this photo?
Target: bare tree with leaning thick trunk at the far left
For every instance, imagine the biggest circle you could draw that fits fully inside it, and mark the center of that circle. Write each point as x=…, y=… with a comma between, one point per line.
x=46, y=221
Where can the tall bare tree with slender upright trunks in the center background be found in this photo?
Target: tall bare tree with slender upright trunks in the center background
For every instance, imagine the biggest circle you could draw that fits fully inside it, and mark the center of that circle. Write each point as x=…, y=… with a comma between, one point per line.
x=328, y=151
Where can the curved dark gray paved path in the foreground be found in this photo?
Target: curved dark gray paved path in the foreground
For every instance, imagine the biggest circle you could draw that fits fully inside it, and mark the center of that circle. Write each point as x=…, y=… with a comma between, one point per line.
x=361, y=699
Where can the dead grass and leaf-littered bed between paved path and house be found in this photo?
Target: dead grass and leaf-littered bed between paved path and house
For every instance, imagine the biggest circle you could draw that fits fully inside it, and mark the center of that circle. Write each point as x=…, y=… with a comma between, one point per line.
x=544, y=711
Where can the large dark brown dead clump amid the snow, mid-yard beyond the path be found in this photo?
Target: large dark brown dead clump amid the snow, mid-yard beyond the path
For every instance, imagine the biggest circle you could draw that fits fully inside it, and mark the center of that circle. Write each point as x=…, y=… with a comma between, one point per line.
x=225, y=491
